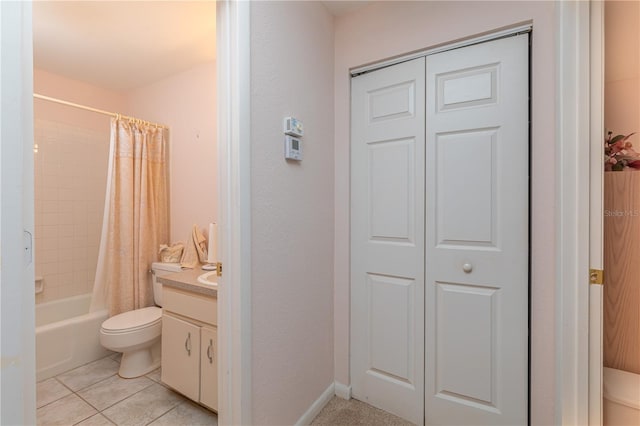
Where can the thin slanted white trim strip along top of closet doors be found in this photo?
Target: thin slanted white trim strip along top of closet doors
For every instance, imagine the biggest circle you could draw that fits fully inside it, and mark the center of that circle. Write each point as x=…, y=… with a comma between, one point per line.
x=443, y=48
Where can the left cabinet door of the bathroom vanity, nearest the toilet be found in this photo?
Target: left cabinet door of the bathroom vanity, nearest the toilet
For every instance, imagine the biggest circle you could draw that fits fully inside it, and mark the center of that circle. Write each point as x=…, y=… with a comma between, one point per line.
x=181, y=356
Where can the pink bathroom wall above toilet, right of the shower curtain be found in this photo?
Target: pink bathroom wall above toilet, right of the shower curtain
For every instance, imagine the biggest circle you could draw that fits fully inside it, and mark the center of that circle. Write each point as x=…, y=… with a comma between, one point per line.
x=186, y=102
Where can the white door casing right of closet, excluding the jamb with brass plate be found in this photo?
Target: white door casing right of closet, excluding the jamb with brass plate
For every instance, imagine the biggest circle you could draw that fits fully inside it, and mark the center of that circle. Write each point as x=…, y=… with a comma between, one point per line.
x=572, y=197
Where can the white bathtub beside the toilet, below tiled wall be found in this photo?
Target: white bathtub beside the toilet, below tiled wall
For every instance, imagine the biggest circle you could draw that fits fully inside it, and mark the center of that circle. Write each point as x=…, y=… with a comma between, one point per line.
x=67, y=335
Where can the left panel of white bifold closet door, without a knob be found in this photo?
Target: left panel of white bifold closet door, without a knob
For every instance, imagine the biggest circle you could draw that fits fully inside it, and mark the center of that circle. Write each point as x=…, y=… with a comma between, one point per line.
x=387, y=239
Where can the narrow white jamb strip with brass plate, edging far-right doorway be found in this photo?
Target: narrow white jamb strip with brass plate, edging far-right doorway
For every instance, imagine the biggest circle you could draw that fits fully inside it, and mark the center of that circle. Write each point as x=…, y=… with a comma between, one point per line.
x=596, y=242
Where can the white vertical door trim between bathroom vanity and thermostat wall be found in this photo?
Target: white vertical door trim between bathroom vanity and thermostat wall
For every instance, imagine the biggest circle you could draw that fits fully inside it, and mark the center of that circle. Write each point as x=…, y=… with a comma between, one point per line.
x=234, y=314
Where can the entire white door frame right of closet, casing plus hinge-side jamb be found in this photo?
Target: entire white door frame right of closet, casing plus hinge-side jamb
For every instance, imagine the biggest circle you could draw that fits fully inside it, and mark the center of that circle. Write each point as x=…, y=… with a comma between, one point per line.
x=579, y=198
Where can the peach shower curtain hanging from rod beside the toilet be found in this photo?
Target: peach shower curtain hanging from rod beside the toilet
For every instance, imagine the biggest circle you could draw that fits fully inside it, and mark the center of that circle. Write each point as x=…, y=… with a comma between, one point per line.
x=136, y=216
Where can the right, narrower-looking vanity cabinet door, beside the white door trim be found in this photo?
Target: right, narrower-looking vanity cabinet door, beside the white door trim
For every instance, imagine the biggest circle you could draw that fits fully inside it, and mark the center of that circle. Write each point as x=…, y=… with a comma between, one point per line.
x=209, y=368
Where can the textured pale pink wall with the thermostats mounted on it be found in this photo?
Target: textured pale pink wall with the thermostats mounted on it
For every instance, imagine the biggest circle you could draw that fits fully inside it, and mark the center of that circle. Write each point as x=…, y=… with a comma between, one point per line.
x=291, y=209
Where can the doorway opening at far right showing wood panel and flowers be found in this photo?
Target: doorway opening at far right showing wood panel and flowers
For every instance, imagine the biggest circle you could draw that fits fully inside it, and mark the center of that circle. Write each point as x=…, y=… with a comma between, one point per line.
x=621, y=210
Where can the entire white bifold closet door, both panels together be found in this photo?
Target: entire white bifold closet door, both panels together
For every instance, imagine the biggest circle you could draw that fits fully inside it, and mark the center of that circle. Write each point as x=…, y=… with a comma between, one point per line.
x=439, y=241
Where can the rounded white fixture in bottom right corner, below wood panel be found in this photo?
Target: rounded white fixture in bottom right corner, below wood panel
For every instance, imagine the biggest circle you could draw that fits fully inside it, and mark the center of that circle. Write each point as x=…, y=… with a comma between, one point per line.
x=621, y=398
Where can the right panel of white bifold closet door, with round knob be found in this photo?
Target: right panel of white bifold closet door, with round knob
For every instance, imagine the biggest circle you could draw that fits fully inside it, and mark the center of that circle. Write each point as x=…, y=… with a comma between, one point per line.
x=477, y=235
